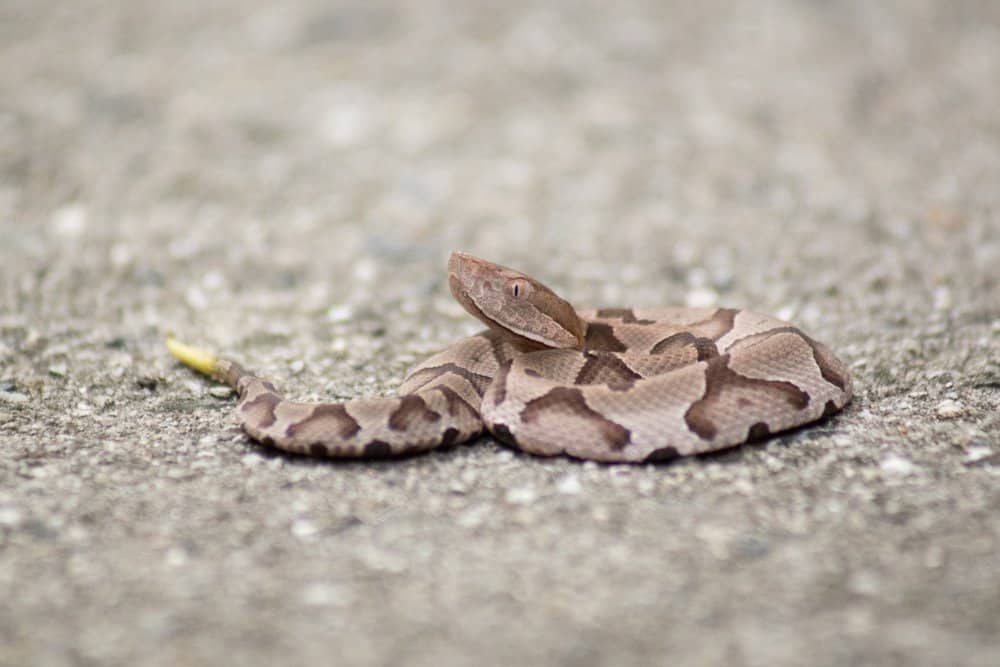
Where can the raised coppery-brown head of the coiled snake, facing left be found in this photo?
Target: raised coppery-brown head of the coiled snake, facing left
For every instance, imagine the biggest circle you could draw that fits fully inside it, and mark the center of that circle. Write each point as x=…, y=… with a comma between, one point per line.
x=514, y=304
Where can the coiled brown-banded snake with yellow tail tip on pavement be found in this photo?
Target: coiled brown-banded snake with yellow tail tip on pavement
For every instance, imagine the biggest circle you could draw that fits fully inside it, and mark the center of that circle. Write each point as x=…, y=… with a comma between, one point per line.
x=630, y=385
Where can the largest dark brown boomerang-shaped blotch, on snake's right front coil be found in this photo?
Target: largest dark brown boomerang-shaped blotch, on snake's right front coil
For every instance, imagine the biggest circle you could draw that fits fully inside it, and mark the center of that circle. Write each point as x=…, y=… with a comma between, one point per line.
x=719, y=378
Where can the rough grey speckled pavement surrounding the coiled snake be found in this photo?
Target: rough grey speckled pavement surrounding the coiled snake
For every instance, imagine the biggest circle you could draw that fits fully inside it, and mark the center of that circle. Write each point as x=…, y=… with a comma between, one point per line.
x=283, y=181
